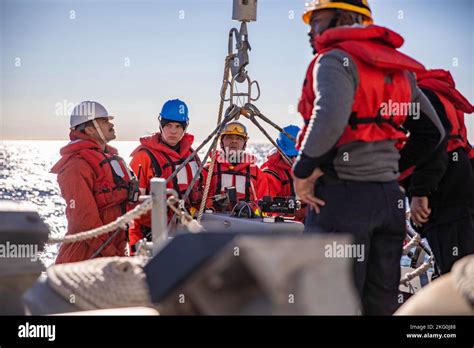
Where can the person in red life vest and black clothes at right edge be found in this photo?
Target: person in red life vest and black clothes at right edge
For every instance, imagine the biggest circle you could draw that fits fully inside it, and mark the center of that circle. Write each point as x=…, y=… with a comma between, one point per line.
x=446, y=214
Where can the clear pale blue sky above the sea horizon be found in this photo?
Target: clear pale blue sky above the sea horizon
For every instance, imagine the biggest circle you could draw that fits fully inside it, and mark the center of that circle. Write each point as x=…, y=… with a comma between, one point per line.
x=132, y=56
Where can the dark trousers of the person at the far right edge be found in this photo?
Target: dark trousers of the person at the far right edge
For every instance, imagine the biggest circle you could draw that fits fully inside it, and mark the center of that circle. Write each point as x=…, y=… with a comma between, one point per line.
x=450, y=234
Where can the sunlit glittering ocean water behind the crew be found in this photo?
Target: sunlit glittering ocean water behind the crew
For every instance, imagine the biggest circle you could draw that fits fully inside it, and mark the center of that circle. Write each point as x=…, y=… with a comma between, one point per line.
x=25, y=177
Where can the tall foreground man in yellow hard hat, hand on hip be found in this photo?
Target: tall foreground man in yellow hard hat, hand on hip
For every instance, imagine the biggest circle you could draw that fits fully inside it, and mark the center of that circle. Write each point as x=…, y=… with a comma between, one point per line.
x=354, y=104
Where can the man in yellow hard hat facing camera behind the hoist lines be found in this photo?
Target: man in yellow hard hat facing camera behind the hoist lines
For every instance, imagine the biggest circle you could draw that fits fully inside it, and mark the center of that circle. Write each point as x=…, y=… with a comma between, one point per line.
x=234, y=167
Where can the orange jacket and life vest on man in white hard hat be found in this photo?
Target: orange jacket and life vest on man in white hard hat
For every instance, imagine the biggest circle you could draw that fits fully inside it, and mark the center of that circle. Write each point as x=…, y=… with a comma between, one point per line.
x=102, y=190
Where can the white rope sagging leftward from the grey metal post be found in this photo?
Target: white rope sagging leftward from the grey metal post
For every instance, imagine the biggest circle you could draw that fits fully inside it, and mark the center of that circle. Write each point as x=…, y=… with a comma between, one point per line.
x=120, y=222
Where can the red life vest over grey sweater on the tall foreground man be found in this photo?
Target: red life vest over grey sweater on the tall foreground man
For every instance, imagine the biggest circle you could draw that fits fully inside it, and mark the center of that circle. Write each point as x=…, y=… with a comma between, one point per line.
x=383, y=82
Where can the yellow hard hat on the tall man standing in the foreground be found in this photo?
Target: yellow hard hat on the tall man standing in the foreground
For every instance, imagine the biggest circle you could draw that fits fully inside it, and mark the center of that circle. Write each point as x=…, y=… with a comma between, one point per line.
x=357, y=6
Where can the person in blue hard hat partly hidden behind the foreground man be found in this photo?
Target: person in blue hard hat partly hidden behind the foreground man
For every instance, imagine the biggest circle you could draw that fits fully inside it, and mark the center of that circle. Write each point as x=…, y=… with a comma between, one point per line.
x=279, y=172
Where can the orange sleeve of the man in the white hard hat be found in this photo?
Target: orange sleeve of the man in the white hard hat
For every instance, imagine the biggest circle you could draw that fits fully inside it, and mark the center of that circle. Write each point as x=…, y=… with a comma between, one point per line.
x=76, y=181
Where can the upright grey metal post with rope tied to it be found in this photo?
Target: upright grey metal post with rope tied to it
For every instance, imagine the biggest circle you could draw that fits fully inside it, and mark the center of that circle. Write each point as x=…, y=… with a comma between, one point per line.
x=159, y=216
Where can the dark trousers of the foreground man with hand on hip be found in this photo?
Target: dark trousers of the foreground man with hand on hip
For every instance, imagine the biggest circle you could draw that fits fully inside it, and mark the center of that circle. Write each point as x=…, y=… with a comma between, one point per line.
x=374, y=214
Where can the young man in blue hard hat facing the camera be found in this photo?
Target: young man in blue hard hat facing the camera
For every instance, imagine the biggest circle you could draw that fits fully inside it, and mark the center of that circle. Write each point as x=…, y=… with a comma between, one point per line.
x=159, y=154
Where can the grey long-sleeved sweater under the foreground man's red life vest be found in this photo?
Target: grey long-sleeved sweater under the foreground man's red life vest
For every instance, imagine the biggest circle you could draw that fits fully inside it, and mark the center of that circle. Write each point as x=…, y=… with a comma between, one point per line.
x=335, y=81
